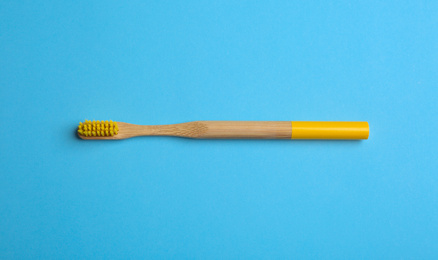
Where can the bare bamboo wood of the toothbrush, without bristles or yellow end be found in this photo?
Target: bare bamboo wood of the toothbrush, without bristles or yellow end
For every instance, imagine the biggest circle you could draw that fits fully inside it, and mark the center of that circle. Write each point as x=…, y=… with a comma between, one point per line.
x=205, y=129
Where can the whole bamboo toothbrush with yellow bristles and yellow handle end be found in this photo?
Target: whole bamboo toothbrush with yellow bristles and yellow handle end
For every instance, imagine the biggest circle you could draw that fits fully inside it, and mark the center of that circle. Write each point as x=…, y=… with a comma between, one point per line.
x=109, y=130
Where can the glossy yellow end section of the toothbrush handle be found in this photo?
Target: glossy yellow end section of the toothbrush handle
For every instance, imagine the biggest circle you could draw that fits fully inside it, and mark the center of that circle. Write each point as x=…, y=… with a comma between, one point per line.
x=330, y=130
